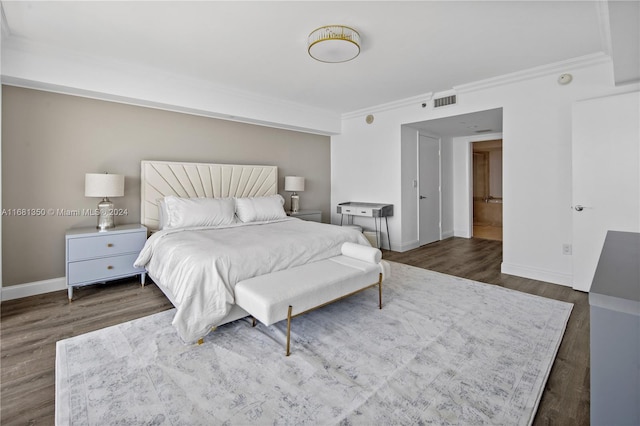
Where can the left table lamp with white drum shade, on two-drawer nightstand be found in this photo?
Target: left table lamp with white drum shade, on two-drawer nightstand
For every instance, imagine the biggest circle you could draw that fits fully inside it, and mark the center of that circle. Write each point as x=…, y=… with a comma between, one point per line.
x=104, y=185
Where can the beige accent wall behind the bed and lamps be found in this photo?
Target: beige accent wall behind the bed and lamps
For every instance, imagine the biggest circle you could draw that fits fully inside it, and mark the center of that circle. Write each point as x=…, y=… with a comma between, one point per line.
x=49, y=142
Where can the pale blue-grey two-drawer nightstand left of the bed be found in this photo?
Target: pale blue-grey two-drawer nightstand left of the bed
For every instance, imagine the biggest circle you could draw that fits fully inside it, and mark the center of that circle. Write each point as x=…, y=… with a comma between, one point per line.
x=94, y=256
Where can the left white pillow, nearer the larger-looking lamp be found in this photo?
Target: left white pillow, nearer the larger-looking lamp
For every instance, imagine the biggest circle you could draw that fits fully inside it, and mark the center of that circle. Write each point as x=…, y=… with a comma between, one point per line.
x=185, y=212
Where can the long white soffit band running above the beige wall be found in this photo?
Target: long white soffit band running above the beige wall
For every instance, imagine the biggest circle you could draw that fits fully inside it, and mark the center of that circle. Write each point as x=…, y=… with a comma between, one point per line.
x=42, y=67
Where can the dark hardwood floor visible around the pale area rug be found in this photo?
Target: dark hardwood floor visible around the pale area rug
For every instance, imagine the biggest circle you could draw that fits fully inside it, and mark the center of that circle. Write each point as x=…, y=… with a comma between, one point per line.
x=30, y=327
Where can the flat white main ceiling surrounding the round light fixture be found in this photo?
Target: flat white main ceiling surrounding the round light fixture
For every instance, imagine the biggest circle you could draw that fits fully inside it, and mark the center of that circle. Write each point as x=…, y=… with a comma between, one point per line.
x=408, y=48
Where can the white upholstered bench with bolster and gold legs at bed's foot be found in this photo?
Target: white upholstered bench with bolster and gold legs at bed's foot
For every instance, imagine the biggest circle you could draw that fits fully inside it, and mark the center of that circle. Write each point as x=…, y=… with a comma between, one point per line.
x=292, y=292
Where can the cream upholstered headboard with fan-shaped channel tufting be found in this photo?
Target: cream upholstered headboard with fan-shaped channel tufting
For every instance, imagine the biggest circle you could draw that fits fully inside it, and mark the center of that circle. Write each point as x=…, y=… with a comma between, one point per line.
x=190, y=180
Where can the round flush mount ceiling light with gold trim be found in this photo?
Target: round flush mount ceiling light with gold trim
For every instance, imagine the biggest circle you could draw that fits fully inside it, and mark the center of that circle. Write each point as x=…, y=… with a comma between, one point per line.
x=334, y=43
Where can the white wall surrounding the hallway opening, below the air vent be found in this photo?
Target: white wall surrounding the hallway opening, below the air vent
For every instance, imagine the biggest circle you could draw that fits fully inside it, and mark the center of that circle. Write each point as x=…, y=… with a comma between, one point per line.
x=367, y=166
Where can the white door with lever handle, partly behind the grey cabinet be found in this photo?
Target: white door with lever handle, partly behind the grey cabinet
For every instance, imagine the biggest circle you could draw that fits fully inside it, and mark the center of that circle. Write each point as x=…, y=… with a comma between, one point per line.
x=606, y=177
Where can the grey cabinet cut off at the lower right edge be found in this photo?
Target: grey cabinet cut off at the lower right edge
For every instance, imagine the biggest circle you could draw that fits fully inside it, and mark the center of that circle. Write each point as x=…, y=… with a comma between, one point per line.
x=615, y=332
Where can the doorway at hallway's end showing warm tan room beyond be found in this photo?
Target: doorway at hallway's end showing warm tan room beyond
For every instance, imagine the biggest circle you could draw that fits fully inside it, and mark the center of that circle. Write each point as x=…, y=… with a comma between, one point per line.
x=487, y=189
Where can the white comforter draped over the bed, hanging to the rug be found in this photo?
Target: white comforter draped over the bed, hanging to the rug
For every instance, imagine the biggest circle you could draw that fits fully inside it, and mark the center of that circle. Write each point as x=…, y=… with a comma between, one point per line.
x=197, y=268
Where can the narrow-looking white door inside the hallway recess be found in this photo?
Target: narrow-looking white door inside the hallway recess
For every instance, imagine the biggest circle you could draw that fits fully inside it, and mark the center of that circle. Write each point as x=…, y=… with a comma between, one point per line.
x=428, y=189
